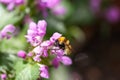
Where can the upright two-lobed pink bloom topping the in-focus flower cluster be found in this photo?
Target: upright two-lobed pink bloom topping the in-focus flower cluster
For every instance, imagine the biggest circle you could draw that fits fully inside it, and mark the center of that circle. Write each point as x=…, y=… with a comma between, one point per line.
x=36, y=32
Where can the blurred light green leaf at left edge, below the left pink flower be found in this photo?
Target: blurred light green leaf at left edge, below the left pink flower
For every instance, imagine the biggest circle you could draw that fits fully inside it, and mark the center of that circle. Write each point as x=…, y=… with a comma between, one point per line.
x=12, y=46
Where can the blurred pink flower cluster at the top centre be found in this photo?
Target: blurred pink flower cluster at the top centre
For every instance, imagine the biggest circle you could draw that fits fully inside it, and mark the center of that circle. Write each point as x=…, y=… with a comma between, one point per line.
x=54, y=5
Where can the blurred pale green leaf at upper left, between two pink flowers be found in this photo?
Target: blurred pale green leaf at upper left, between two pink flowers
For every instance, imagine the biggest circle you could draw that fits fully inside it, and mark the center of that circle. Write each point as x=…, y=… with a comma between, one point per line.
x=7, y=17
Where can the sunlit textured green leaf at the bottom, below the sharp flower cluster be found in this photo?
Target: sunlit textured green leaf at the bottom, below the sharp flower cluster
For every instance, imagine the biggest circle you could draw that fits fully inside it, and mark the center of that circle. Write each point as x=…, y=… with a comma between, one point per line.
x=26, y=71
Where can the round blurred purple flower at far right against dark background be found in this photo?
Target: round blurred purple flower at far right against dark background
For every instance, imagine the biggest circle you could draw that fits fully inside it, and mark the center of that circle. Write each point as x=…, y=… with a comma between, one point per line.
x=112, y=14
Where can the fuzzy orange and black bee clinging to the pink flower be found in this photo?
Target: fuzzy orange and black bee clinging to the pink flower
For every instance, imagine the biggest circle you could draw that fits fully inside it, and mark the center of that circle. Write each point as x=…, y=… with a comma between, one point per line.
x=64, y=44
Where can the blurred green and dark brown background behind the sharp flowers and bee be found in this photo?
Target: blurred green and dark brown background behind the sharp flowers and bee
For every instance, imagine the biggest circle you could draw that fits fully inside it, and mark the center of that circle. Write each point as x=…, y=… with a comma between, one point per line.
x=93, y=28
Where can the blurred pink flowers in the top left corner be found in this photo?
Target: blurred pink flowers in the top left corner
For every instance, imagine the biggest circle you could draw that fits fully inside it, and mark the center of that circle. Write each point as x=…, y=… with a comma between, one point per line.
x=12, y=3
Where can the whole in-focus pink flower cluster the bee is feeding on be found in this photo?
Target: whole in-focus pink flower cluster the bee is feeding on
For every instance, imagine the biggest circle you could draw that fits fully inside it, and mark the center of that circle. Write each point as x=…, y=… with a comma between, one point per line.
x=44, y=52
